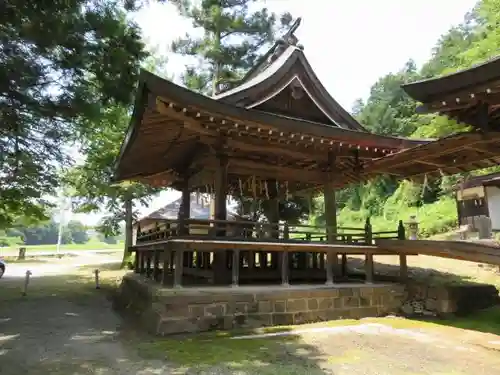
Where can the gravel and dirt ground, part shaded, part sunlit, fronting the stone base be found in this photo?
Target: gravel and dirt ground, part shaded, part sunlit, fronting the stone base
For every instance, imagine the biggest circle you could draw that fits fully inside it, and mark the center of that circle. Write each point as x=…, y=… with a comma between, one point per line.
x=63, y=335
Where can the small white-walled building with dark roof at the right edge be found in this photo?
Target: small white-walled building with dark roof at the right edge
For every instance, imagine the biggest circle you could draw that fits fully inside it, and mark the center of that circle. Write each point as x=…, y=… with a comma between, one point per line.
x=479, y=196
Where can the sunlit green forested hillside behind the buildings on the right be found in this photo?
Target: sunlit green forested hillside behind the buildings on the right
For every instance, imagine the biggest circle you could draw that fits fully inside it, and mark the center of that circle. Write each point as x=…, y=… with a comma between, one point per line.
x=388, y=110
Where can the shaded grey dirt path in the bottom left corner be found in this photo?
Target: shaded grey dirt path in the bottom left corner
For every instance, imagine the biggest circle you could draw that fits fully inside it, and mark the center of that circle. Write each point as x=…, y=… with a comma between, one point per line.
x=57, y=337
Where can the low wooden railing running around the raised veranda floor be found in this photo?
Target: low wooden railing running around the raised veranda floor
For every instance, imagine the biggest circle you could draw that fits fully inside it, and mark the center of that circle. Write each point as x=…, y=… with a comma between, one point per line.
x=252, y=231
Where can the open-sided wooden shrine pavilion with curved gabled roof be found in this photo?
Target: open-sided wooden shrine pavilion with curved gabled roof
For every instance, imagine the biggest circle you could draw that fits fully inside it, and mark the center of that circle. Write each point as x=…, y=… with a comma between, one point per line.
x=275, y=134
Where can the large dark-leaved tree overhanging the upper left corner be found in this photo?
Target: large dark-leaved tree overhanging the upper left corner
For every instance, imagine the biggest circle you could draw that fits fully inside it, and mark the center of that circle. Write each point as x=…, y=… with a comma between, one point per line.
x=61, y=61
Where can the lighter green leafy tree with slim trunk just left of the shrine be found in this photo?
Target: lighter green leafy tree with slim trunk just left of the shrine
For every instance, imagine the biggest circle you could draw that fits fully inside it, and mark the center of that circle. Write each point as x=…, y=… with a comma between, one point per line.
x=91, y=182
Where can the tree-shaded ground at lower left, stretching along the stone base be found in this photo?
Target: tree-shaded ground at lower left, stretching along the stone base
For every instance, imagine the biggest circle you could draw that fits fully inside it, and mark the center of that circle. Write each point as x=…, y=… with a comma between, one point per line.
x=65, y=326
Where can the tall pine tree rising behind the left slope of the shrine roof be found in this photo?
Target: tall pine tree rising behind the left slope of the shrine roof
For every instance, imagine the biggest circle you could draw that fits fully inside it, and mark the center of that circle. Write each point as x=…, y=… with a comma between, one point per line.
x=233, y=40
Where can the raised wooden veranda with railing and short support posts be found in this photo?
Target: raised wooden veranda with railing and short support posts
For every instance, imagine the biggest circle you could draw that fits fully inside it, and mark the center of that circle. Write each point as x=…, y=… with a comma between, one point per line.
x=180, y=251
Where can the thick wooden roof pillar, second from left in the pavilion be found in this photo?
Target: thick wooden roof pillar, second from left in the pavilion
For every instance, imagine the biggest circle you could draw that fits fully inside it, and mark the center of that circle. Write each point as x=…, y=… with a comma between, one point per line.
x=219, y=265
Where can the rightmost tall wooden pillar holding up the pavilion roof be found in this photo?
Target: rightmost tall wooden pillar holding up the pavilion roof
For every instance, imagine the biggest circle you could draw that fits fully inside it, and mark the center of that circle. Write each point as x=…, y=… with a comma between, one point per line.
x=331, y=229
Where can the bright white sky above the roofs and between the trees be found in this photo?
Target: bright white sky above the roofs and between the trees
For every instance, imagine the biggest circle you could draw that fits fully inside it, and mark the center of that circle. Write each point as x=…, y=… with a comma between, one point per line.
x=350, y=44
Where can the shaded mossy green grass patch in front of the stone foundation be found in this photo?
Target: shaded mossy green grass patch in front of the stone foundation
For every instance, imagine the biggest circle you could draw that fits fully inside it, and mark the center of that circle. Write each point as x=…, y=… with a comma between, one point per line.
x=273, y=355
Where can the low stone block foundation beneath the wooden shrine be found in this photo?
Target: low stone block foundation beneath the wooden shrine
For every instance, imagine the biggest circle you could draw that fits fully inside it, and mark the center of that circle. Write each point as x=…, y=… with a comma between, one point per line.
x=164, y=311
